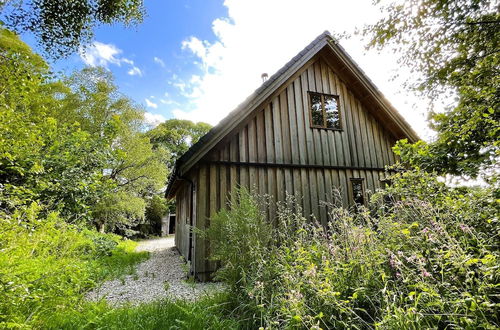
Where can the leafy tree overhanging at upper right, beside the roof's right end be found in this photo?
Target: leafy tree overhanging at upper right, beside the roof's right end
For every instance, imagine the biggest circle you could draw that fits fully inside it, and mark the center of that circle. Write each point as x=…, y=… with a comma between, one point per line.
x=454, y=45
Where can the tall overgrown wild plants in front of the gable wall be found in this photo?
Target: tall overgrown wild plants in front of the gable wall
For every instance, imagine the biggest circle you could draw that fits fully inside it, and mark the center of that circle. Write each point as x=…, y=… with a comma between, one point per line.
x=429, y=260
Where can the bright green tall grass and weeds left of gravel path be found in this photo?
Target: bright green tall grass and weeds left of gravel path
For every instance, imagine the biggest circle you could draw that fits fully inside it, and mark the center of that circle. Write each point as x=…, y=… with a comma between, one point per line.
x=47, y=265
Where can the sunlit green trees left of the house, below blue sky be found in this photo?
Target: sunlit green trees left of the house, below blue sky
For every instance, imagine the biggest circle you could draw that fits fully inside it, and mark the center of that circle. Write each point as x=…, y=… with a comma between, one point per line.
x=76, y=146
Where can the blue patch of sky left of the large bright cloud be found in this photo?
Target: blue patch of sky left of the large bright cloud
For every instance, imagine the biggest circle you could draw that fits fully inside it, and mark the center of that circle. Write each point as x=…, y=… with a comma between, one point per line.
x=155, y=47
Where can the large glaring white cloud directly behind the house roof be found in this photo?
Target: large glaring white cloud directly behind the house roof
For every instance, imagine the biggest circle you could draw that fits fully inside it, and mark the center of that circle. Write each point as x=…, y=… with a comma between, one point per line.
x=253, y=40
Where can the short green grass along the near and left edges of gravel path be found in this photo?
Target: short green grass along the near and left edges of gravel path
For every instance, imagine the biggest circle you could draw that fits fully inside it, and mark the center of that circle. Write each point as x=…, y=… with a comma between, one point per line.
x=74, y=312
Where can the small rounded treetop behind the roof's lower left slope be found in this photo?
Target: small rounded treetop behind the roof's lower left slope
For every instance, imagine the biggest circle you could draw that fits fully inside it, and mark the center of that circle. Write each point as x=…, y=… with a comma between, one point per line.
x=177, y=136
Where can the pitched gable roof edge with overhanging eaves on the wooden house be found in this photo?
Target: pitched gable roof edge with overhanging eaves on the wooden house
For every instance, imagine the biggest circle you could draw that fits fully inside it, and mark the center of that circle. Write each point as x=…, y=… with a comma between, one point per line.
x=337, y=57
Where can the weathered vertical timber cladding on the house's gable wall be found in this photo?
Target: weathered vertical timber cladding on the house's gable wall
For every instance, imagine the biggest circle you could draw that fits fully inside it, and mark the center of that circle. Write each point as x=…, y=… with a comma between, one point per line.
x=279, y=132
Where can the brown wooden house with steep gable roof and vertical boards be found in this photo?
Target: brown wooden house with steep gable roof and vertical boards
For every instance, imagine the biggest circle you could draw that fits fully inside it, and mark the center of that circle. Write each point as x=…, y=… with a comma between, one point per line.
x=318, y=123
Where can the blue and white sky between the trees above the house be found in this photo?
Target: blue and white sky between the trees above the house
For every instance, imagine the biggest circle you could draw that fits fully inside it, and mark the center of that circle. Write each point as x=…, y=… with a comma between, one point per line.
x=198, y=59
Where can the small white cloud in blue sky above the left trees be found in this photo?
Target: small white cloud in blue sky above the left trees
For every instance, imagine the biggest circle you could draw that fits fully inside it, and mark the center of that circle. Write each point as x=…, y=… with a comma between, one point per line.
x=101, y=54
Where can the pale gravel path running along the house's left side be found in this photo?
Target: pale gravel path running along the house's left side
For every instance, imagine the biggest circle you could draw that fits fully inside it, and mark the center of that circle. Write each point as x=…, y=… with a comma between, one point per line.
x=163, y=275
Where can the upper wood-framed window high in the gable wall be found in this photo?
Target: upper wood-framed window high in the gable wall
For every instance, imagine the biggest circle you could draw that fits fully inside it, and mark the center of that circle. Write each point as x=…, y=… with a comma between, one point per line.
x=325, y=112
